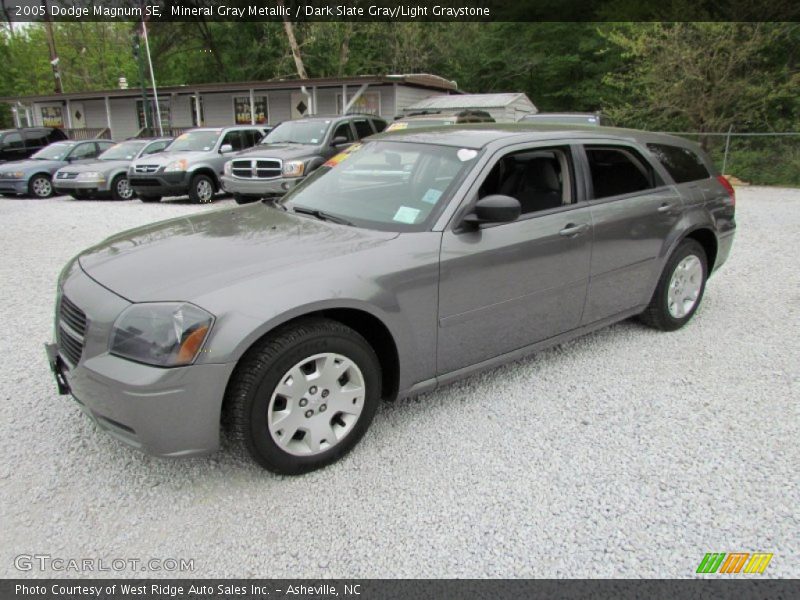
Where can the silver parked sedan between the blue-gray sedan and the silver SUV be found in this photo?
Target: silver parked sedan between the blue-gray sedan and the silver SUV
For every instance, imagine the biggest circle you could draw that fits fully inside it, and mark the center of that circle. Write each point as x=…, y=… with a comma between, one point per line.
x=108, y=175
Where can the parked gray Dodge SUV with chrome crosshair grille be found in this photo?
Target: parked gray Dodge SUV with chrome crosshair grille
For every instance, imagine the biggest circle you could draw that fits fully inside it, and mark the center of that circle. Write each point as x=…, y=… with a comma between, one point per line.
x=292, y=151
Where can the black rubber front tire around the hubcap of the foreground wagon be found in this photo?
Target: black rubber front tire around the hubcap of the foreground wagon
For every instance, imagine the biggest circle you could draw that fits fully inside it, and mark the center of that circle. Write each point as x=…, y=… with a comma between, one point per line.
x=259, y=372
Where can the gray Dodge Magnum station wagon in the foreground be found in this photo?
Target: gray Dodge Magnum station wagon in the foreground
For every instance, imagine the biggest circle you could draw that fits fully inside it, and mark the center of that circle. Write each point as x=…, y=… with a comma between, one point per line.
x=397, y=267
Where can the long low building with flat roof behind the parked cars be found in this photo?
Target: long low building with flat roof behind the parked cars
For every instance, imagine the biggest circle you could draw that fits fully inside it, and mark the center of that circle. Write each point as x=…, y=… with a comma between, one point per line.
x=119, y=113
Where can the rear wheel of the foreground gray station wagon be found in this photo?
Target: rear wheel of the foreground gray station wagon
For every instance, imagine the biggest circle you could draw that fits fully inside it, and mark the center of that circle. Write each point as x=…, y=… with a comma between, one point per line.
x=680, y=288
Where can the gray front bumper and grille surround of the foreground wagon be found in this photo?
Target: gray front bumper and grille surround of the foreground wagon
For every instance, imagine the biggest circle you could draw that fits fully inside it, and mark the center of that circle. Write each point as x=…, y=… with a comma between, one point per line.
x=164, y=412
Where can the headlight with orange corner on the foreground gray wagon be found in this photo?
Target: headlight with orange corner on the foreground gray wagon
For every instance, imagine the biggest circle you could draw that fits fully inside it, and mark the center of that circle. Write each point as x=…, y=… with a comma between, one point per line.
x=164, y=334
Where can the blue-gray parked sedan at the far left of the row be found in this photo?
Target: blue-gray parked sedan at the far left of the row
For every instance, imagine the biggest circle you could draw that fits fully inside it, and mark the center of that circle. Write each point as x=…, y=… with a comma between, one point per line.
x=34, y=175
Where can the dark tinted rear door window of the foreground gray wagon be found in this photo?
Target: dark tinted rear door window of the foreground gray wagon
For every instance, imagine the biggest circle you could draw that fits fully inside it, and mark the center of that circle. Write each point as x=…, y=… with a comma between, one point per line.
x=616, y=170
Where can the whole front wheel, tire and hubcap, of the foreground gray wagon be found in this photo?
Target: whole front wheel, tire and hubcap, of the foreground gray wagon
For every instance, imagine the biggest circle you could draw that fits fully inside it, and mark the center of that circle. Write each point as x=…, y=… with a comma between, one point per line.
x=305, y=396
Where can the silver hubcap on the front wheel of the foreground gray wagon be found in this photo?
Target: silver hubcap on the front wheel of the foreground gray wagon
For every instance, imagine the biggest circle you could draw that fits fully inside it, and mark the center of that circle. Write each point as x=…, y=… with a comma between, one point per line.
x=316, y=404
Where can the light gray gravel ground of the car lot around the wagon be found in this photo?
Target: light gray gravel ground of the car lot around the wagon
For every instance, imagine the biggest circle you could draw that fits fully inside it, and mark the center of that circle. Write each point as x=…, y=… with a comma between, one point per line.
x=627, y=453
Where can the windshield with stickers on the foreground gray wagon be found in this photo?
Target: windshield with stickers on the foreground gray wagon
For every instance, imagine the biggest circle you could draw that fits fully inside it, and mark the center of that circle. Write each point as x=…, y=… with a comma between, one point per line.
x=391, y=186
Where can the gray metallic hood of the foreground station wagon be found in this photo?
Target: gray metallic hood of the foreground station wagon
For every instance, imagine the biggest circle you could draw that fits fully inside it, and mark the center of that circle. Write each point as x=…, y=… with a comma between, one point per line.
x=183, y=258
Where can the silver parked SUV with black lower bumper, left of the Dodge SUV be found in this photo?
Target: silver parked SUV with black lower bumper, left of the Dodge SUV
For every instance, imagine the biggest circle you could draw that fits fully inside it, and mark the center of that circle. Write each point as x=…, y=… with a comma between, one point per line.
x=192, y=164
